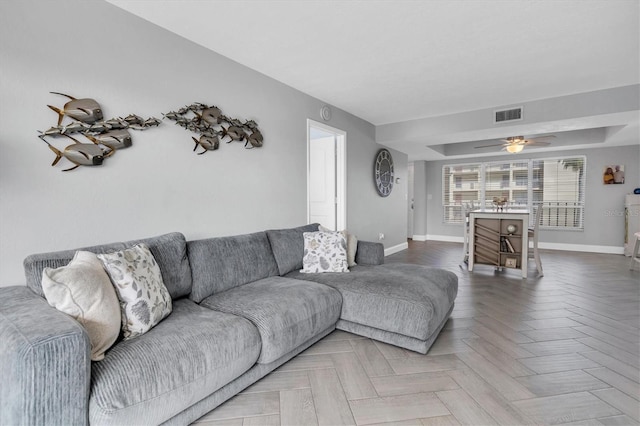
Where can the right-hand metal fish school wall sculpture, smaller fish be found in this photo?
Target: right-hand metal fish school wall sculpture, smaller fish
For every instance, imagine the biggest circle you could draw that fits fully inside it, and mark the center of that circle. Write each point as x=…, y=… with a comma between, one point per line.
x=209, y=122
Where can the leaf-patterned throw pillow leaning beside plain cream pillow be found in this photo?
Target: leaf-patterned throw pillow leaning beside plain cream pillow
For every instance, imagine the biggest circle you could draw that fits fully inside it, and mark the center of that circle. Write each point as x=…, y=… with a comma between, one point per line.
x=144, y=299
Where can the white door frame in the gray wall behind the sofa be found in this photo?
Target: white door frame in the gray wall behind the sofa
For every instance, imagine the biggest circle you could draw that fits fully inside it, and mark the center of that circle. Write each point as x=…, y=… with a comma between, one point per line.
x=341, y=171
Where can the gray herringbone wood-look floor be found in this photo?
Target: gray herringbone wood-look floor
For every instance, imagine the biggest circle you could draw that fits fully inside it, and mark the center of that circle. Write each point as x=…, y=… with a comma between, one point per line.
x=561, y=349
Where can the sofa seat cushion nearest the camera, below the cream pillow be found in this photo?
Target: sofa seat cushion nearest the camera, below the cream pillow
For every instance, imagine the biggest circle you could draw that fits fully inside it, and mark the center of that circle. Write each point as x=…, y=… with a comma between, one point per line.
x=185, y=358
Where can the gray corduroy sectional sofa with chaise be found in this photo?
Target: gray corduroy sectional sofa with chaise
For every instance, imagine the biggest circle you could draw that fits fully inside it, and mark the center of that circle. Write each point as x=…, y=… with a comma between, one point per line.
x=241, y=308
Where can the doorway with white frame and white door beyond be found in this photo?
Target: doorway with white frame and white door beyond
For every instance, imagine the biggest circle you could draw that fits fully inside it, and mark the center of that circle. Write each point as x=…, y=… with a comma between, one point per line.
x=326, y=176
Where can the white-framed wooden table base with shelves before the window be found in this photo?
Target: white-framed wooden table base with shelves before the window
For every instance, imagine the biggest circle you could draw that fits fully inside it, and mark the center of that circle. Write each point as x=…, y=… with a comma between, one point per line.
x=493, y=242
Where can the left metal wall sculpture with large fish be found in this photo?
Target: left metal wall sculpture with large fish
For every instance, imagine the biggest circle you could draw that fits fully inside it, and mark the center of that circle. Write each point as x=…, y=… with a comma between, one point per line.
x=105, y=136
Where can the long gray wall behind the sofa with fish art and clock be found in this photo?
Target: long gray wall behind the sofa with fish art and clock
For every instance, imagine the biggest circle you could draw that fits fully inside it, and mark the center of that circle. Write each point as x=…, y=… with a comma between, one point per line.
x=93, y=49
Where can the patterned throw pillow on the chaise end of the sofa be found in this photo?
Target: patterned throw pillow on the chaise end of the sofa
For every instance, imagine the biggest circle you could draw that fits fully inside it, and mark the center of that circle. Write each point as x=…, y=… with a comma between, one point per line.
x=324, y=252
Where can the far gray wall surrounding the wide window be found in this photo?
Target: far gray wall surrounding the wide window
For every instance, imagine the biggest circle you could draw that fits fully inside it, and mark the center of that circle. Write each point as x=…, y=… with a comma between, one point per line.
x=604, y=204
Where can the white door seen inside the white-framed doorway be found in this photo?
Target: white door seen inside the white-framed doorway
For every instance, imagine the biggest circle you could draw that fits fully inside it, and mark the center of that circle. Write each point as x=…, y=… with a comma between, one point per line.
x=322, y=181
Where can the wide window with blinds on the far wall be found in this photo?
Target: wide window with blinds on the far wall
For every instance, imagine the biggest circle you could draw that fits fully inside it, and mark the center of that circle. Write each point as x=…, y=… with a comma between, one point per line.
x=556, y=184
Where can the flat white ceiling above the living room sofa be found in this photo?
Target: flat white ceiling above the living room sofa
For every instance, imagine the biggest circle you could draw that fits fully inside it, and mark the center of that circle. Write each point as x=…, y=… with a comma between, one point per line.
x=390, y=61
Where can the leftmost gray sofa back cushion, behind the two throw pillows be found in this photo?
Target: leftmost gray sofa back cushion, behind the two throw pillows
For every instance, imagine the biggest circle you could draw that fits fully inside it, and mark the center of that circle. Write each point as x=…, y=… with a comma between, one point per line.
x=169, y=250
